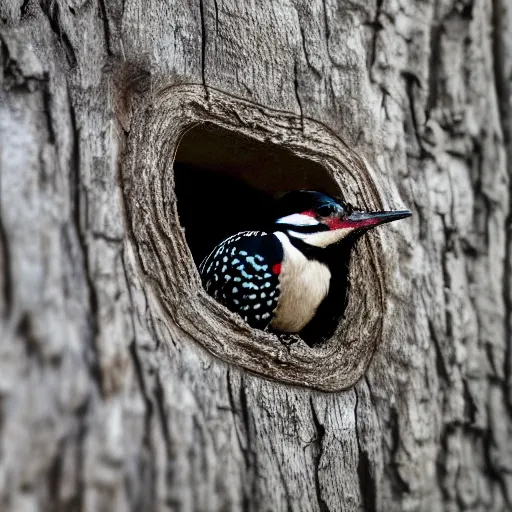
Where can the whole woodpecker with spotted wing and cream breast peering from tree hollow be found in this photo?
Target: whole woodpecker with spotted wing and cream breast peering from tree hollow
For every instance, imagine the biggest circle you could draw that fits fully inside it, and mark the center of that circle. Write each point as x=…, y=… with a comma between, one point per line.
x=285, y=276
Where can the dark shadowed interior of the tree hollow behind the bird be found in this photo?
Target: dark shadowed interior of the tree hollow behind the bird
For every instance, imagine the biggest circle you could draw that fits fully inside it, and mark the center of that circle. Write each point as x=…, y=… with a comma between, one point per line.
x=225, y=183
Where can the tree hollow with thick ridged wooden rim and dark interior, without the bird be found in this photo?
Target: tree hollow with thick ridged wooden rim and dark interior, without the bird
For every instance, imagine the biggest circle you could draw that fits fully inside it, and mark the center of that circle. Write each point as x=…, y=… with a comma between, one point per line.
x=199, y=167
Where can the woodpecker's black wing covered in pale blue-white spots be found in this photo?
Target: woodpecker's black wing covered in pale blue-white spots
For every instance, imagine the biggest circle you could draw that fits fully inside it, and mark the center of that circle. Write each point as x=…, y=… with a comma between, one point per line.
x=242, y=273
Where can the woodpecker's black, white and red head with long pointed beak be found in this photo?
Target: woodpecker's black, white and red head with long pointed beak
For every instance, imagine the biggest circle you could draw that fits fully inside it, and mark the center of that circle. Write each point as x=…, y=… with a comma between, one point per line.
x=322, y=221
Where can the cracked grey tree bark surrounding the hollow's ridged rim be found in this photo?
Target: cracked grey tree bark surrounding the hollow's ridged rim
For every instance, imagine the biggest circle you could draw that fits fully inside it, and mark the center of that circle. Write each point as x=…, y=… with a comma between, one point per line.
x=105, y=405
